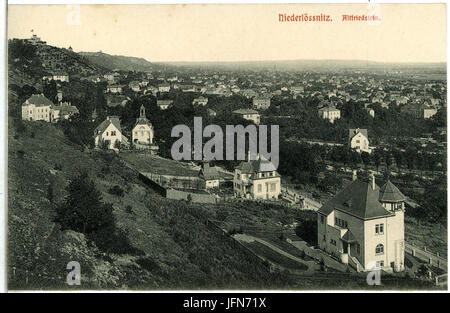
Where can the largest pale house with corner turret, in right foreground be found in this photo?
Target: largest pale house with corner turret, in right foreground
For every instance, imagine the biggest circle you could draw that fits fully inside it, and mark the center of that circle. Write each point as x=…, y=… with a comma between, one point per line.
x=363, y=226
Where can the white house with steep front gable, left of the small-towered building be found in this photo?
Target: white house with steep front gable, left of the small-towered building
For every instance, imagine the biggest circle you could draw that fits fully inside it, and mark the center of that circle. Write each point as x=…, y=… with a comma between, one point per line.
x=109, y=133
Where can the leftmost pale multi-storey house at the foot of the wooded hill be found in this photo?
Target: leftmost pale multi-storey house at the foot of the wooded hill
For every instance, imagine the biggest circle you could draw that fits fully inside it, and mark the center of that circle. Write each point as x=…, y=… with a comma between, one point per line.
x=37, y=108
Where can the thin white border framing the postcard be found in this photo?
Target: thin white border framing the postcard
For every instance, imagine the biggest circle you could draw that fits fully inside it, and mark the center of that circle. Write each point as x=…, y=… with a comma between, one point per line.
x=3, y=114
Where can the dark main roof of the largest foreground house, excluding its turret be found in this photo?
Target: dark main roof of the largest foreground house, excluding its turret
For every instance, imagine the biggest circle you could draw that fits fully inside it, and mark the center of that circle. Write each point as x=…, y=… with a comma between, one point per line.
x=358, y=199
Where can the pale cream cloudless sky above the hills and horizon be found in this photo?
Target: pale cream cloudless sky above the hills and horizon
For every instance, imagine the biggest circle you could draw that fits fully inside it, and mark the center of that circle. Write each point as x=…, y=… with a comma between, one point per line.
x=168, y=33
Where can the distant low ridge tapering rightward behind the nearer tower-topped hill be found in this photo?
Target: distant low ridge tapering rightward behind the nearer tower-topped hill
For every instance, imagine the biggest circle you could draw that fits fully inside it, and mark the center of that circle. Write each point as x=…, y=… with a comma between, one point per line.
x=113, y=62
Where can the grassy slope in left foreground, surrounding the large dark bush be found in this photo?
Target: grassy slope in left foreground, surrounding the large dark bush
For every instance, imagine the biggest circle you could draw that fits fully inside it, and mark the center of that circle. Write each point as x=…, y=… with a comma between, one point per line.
x=180, y=252
